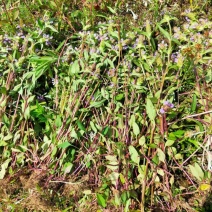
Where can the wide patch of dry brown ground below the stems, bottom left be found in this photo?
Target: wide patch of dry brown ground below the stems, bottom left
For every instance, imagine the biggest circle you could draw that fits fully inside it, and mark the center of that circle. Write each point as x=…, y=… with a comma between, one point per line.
x=28, y=191
